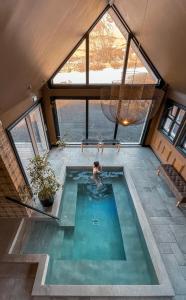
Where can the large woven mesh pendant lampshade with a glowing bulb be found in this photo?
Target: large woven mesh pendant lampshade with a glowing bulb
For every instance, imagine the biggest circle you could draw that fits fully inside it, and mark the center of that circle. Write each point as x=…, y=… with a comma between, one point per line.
x=129, y=104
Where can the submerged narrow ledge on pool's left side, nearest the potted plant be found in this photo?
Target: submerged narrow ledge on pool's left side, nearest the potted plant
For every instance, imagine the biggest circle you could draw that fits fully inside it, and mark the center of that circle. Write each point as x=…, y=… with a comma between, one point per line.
x=67, y=213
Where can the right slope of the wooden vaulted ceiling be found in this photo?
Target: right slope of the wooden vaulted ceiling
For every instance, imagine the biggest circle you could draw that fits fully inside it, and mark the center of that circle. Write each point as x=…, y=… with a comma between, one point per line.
x=162, y=35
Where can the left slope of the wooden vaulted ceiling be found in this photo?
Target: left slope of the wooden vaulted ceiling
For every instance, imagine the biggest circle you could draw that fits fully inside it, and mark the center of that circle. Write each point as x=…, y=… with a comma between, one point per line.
x=36, y=36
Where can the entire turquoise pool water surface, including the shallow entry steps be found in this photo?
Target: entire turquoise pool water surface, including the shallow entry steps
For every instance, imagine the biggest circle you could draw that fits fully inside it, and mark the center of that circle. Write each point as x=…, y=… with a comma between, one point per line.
x=98, y=240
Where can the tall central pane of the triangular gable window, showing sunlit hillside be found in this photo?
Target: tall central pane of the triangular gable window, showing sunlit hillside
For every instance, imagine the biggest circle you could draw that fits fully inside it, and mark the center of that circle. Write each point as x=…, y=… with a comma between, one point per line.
x=107, y=46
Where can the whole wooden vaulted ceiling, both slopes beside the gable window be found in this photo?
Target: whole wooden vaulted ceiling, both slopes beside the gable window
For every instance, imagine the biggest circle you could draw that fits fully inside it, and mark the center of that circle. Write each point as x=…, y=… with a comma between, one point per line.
x=35, y=36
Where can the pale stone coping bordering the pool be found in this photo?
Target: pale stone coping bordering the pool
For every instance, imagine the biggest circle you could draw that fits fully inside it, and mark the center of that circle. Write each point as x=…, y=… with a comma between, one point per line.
x=164, y=289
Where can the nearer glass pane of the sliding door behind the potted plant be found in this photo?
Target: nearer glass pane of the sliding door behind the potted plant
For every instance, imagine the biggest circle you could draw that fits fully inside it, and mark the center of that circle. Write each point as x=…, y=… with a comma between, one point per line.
x=23, y=143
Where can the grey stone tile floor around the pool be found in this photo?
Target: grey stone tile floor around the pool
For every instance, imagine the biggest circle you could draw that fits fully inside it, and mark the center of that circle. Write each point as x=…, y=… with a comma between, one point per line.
x=168, y=223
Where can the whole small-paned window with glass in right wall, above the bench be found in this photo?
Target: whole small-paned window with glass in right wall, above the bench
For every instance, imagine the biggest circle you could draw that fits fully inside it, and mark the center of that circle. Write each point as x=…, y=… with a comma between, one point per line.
x=173, y=119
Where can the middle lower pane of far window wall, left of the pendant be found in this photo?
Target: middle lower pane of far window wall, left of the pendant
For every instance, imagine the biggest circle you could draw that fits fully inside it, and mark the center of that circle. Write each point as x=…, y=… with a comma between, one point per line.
x=99, y=126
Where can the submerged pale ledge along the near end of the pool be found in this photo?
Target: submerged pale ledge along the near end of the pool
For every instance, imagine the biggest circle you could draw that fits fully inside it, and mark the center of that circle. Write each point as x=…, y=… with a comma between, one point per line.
x=97, y=272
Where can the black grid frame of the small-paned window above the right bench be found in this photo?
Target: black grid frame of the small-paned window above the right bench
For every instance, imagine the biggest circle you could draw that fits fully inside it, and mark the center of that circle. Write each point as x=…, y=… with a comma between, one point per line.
x=166, y=115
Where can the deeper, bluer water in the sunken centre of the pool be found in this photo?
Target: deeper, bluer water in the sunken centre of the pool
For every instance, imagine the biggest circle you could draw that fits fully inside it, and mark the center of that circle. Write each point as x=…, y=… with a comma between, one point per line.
x=97, y=234
